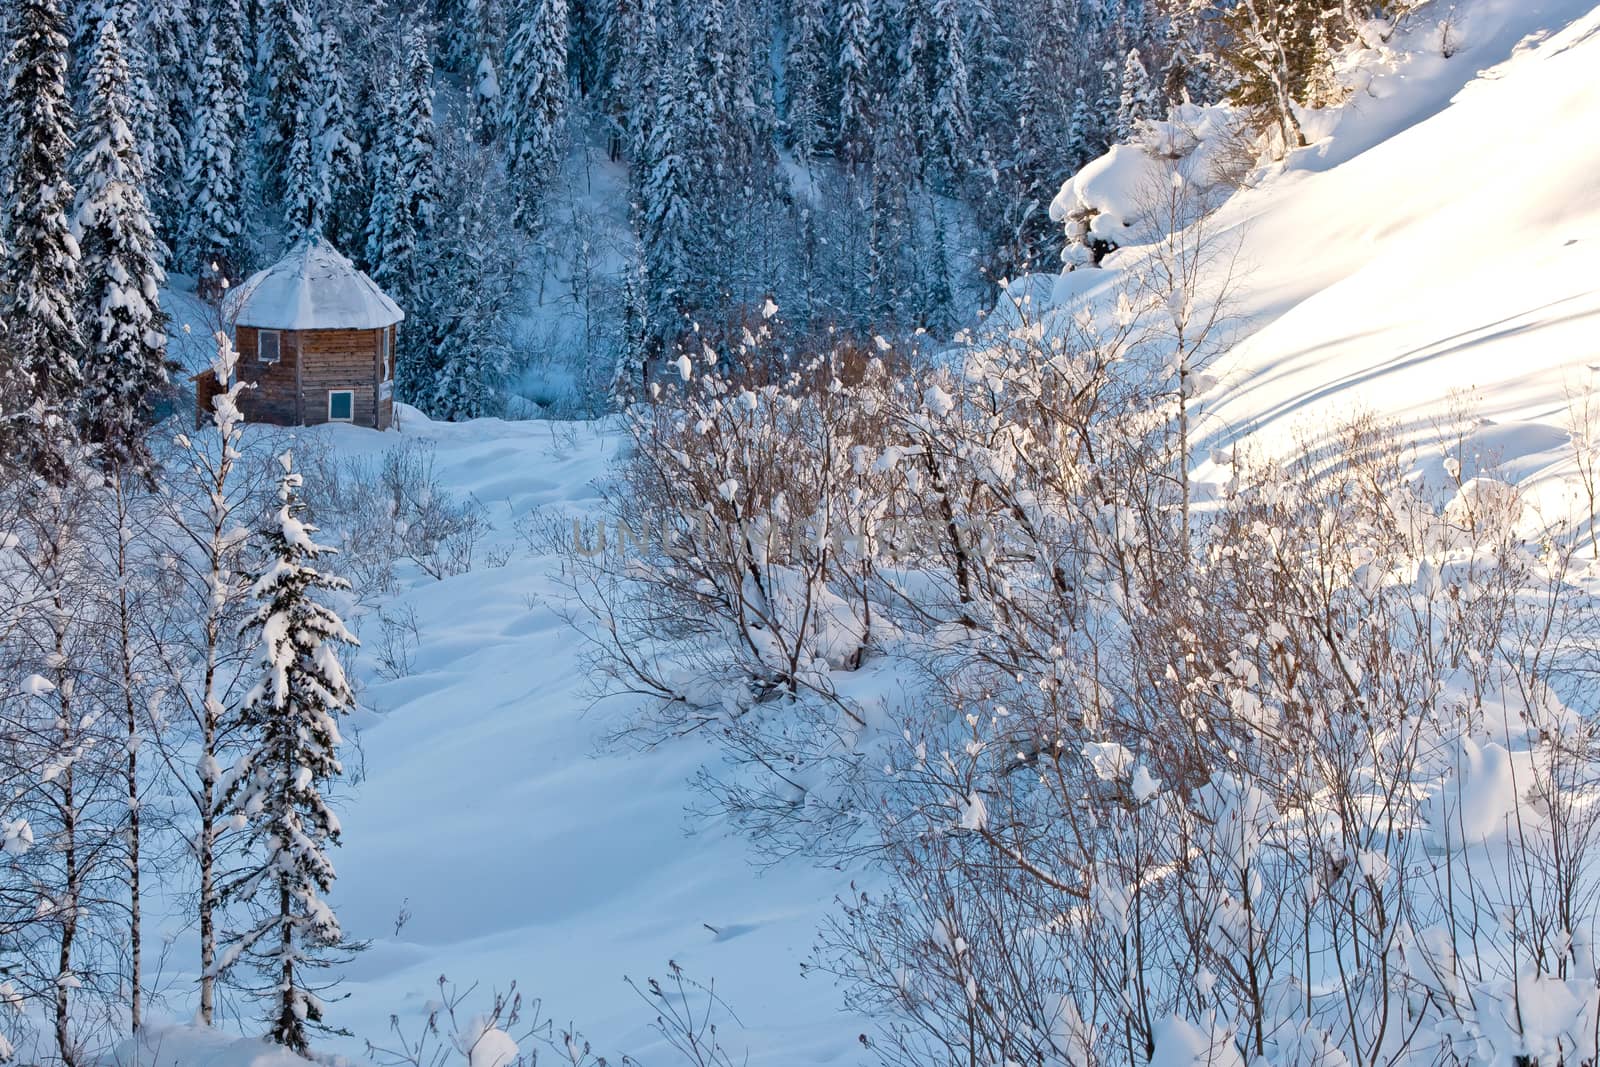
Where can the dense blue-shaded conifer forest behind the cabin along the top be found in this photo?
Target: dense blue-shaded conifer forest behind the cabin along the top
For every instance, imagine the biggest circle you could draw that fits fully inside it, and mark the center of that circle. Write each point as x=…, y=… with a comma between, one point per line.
x=874, y=166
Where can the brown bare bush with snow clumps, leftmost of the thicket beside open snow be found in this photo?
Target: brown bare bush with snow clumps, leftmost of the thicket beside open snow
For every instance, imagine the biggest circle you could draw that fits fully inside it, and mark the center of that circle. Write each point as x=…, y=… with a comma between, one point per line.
x=737, y=573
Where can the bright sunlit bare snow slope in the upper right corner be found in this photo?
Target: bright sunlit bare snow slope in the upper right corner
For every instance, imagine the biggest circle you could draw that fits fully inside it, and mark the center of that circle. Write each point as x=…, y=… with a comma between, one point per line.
x=1444, y=238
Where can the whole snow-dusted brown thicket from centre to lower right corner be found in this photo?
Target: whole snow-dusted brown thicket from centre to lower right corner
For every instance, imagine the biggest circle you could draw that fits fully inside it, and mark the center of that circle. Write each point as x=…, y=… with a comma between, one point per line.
x=1294, y=773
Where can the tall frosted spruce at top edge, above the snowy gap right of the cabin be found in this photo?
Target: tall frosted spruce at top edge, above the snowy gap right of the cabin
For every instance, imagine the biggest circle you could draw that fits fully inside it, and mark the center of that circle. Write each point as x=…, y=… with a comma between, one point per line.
x=535, y=105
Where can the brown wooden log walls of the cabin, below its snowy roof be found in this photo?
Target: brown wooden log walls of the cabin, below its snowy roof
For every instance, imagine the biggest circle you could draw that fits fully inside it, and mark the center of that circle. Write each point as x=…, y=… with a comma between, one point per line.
x=311, y=366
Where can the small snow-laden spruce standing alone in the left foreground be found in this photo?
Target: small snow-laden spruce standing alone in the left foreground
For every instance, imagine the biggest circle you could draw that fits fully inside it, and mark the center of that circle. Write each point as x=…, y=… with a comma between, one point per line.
x=292, y=721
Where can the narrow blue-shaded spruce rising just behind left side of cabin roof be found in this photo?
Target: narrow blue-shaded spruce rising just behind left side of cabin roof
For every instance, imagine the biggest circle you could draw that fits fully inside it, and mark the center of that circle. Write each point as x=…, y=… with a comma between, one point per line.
x=215, y=220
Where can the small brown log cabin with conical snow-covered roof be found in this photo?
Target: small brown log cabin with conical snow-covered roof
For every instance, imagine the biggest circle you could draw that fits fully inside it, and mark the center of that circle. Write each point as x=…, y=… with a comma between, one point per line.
x=316, y=338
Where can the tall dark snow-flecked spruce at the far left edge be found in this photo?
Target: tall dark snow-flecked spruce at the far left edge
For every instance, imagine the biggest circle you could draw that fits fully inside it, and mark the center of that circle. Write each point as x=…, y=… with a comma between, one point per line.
x=39, y=279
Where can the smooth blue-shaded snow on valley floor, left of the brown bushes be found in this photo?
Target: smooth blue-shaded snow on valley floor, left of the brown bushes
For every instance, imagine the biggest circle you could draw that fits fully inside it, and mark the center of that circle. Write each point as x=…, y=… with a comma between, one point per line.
x=521, y=847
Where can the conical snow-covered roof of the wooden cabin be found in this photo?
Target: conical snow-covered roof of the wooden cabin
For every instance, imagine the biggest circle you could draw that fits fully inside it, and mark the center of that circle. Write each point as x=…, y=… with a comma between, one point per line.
x=313, y=289
